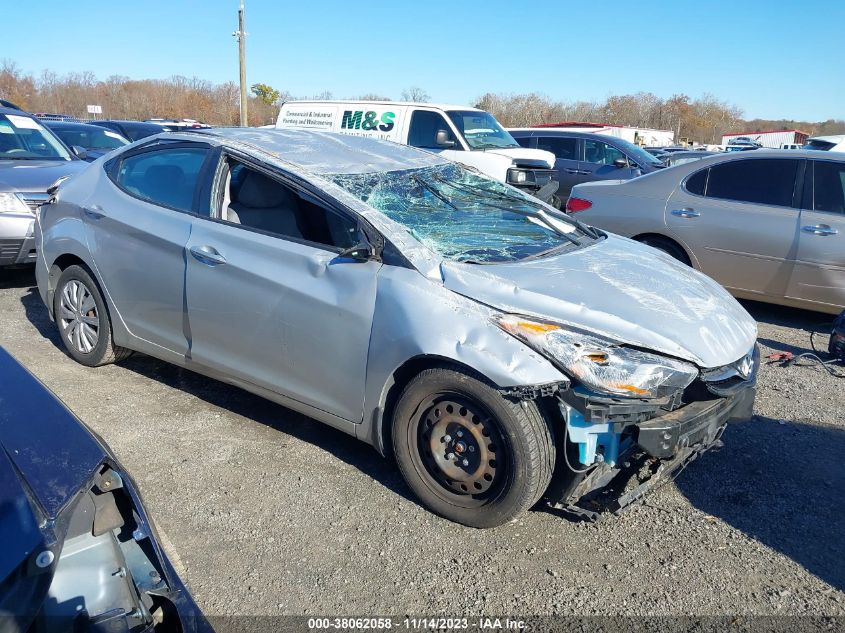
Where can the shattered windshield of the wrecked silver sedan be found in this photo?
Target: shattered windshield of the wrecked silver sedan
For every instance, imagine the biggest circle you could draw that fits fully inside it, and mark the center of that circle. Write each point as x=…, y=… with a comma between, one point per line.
x=465, y=216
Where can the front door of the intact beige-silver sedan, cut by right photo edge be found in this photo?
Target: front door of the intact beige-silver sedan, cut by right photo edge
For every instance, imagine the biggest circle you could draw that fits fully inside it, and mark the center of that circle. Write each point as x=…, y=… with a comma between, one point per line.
x=820, y=265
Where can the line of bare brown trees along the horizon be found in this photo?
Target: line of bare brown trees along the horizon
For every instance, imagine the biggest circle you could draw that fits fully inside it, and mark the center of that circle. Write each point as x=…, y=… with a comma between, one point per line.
x=702, y=119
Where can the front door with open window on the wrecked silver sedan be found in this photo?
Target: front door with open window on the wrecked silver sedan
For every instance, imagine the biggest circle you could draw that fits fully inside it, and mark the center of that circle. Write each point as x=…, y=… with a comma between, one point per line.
x=269, y=299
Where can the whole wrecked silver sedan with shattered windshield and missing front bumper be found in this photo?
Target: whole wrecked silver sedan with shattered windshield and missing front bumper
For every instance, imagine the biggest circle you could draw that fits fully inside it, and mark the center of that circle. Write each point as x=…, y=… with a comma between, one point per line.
x=500, y=351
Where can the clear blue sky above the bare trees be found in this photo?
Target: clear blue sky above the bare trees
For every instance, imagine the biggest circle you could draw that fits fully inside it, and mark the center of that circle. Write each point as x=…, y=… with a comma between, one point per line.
x=774, y=59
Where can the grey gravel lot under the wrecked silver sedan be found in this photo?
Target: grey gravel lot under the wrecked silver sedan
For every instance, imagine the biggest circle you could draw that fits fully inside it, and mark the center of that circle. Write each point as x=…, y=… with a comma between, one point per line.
x=273, y=513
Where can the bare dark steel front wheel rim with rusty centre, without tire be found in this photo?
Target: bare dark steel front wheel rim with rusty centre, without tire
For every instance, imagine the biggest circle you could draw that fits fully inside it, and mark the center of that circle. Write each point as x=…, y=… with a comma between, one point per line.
x=459, y=445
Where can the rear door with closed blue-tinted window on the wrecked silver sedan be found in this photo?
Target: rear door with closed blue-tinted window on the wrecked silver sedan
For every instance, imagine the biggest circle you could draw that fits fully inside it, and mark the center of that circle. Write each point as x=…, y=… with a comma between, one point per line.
x=137, y=224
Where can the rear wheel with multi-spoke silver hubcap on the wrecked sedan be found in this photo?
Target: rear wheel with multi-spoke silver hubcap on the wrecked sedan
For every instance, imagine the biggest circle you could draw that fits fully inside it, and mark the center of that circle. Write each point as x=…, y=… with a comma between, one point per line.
x=74, y=337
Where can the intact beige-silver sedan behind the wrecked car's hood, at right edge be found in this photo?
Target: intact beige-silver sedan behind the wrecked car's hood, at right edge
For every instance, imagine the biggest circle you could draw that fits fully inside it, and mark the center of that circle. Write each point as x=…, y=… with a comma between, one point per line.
x=768, y=225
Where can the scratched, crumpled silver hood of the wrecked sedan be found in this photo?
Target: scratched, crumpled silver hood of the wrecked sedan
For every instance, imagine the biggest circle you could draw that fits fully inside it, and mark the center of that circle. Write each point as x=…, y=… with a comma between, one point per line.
x=621, y=289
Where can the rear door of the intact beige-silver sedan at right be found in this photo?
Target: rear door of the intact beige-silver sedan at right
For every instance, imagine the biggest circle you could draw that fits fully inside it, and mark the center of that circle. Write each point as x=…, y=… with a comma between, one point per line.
x=738, y=219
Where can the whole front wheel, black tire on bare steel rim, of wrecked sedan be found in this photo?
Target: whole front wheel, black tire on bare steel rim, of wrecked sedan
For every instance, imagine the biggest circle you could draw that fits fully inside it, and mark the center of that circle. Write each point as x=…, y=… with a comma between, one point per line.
x=508, y=448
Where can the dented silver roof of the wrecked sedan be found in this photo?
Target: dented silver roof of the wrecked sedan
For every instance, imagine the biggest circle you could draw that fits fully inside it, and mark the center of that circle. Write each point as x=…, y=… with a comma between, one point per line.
x=322, y=152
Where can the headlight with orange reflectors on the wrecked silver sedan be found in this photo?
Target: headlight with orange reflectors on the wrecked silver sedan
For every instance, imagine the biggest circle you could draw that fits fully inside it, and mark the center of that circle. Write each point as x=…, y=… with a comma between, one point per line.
x=599, y=363
